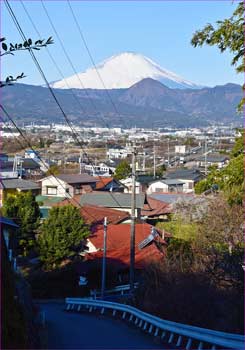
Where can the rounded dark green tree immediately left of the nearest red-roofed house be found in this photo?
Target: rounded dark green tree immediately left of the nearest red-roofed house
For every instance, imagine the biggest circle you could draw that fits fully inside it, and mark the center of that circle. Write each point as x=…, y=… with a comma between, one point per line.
x=61, y=233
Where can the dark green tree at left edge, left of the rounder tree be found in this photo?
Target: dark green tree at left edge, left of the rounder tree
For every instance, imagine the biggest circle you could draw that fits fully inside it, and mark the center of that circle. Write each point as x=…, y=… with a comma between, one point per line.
x=23, y=208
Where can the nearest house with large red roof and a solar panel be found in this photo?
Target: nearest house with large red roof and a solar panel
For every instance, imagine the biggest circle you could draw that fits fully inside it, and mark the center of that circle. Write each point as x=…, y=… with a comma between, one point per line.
x=152, y=248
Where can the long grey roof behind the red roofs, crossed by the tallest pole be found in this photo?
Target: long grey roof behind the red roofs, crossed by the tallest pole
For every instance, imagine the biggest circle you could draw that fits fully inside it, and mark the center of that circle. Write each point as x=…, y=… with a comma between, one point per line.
x=112, y=200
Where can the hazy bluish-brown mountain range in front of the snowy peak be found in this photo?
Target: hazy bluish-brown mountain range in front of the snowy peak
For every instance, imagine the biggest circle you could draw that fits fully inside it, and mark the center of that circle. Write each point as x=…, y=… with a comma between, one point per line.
x=146, y=103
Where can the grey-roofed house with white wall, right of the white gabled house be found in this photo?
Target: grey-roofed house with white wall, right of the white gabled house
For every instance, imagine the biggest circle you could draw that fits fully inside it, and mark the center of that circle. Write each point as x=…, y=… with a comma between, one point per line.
x=189, y=177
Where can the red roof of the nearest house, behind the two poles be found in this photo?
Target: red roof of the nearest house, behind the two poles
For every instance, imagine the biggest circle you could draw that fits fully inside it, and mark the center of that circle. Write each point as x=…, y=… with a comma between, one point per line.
x=118, y=245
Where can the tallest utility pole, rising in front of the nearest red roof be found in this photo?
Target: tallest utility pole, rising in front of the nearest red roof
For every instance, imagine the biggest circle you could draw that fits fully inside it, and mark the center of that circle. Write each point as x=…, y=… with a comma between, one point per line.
x=132, y=231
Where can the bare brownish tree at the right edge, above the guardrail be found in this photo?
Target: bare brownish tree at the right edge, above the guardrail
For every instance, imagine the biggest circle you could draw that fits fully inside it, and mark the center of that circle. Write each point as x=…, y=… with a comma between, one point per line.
x=219, y=244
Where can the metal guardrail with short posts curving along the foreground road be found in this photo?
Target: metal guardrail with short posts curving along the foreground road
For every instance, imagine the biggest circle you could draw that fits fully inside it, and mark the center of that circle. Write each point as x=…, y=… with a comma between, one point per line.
x=181, y=335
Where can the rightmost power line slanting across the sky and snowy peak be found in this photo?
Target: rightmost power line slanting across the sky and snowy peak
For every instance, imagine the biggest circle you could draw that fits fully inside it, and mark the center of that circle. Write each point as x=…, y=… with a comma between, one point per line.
x=93, y=62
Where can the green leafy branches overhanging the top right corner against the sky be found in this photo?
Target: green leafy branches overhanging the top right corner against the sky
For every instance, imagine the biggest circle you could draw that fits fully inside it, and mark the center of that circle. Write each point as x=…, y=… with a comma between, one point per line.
x=229, y=35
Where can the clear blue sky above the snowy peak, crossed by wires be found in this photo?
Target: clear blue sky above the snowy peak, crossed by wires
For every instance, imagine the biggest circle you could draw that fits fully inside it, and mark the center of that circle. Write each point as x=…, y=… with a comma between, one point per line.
x=160, y=30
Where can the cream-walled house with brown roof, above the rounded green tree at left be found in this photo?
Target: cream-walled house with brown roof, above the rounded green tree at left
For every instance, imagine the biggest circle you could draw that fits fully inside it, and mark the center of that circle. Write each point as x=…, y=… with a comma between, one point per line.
x=67, y=185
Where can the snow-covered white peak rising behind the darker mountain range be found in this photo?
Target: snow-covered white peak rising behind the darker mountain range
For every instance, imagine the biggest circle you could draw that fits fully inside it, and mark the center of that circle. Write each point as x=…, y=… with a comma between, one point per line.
x=122, y=71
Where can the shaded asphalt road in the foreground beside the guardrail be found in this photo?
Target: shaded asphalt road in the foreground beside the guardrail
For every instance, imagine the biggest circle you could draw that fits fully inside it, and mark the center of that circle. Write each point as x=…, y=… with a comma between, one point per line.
x=71, y=330
